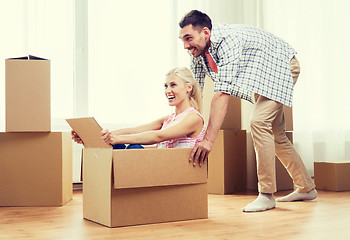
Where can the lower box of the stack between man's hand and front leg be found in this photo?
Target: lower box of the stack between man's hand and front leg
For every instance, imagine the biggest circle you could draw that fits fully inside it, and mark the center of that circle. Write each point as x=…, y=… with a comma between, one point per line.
x=227, y=163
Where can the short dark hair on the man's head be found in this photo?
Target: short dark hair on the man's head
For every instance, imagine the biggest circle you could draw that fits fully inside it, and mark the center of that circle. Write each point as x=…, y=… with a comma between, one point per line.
x=197, y=19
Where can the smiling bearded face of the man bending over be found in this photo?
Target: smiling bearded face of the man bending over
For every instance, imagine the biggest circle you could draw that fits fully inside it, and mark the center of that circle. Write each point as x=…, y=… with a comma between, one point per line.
x=195, y=39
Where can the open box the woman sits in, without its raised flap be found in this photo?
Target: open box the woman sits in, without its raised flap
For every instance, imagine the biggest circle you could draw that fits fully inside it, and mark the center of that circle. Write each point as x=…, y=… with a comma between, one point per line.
x=141, y=186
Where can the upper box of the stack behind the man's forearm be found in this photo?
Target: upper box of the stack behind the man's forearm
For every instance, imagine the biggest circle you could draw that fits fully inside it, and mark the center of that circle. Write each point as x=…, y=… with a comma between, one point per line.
x=232, y=120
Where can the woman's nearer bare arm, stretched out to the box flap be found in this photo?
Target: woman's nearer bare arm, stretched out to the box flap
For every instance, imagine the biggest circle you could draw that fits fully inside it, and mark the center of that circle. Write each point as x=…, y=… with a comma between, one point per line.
x=191, y=124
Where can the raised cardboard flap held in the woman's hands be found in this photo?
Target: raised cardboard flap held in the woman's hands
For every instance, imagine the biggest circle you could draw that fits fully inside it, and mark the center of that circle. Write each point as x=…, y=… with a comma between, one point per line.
x=89, y=131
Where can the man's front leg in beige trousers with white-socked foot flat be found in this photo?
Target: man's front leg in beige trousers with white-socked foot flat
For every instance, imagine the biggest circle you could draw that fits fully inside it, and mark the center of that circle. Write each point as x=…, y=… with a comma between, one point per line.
x=263, y=115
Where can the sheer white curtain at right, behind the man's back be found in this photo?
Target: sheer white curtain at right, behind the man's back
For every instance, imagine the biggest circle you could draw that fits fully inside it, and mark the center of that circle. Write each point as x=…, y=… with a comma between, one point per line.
x=319, y=30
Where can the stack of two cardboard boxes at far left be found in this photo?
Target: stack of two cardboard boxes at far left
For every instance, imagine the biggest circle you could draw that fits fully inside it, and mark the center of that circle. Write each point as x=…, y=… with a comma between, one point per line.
x=35, y=163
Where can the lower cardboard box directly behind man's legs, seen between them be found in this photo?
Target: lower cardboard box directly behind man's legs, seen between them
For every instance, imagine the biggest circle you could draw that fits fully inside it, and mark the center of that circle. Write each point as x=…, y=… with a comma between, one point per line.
x=283, y=180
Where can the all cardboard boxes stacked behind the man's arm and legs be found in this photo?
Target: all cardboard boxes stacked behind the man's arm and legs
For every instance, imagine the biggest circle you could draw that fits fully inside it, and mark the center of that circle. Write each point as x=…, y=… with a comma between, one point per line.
x=233, y=151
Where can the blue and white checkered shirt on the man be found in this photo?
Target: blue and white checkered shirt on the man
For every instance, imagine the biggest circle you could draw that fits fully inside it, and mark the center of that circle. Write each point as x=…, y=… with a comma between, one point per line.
x=249, y=60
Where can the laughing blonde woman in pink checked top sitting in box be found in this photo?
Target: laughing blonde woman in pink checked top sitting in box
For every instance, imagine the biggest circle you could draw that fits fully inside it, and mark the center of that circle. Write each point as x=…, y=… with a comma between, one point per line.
x=182, y=129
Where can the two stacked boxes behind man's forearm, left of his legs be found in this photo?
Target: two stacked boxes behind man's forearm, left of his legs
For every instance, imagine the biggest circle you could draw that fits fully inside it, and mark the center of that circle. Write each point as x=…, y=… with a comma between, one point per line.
x=227, y=162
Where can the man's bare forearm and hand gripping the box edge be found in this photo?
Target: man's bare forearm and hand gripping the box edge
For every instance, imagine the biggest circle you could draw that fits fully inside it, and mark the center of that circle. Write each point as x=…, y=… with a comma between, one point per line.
x=218, y=110
